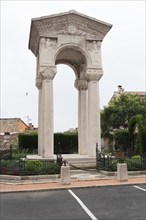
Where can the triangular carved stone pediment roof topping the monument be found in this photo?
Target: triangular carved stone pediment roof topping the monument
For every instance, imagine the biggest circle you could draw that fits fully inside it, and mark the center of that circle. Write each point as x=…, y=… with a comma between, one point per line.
x=68, y=23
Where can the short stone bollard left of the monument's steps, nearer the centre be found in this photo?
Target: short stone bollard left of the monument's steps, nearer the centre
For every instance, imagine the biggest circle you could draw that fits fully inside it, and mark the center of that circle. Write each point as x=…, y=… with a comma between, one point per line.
x=65, y=175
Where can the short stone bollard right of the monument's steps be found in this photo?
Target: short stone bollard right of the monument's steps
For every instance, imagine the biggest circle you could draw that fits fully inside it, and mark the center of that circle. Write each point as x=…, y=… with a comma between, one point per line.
x=122, y=172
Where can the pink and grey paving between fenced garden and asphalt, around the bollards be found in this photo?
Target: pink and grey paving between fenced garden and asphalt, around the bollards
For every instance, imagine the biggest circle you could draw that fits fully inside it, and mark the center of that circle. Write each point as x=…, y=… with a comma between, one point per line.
x=79, y=179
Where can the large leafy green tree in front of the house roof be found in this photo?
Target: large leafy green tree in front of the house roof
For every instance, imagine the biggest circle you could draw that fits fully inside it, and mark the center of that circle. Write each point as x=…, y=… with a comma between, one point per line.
x=117, y=113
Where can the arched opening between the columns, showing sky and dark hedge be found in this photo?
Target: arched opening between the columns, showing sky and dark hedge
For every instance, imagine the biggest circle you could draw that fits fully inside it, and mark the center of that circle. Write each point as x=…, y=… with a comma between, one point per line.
x=65, y=111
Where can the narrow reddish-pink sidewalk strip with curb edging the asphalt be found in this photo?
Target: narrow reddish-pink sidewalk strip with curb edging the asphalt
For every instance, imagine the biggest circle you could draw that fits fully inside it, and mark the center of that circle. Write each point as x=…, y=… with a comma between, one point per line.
x=36, y=187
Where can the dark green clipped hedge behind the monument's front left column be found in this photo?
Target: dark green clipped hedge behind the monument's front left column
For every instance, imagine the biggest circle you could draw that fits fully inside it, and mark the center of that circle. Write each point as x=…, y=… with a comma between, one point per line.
x=64, y=143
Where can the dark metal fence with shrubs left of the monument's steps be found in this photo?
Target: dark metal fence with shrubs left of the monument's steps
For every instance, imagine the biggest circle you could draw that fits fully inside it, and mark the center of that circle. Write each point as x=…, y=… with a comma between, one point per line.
x=10, y=163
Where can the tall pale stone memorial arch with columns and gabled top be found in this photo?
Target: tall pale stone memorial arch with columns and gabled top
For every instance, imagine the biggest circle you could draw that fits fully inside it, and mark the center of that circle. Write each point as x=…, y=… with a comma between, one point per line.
x=73, y=39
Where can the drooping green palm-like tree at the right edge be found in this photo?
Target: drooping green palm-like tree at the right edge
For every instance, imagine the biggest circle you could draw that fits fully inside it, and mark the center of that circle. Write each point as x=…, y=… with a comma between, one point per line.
x=137, y=124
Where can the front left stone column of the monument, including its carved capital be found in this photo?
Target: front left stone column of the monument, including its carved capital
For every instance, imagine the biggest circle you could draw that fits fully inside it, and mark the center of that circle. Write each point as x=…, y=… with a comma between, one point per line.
x=46, y=122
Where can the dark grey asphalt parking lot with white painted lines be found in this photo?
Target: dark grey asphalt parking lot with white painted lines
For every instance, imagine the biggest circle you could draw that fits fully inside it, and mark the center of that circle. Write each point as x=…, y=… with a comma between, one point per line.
x=98, y=203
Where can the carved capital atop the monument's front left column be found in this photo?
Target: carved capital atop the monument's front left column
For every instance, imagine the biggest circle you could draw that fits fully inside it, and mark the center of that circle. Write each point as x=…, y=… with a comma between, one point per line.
x=47, y=72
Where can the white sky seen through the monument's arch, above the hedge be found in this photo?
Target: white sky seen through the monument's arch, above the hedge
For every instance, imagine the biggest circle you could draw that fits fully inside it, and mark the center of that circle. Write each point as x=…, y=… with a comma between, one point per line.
x=65, y=99
